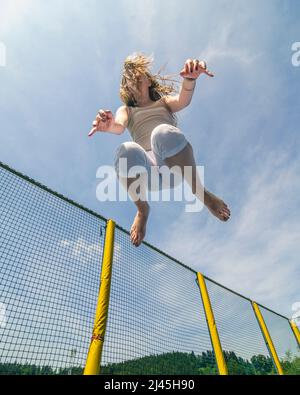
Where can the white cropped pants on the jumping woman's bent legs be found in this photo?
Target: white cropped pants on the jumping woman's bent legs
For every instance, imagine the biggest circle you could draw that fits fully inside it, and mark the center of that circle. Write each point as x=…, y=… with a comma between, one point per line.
x=166, y=141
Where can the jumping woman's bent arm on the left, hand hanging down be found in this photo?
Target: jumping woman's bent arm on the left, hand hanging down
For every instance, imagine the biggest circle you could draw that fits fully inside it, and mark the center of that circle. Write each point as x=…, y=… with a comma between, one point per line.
x=105, y=121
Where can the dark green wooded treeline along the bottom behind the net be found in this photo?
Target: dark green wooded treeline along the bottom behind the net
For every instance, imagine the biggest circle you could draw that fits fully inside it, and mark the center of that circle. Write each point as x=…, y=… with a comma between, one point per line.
x=175, y=363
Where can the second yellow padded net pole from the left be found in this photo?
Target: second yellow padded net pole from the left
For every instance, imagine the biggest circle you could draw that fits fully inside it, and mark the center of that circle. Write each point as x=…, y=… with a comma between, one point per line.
x=212, y=327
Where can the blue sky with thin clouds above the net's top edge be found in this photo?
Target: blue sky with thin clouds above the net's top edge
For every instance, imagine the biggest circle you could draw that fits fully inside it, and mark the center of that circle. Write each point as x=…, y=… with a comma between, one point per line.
x=63, y=63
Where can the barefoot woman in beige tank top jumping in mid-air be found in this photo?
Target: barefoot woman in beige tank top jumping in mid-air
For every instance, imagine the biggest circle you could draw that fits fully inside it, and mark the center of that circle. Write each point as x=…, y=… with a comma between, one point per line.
x=148, y=114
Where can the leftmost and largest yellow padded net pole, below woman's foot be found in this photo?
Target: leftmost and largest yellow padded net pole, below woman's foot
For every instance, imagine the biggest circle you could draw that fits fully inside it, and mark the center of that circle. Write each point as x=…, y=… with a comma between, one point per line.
x=93, y=361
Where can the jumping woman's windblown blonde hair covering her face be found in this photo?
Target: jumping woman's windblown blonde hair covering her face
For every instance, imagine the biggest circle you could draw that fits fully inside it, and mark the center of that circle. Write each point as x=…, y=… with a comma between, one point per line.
x=137, y=64
